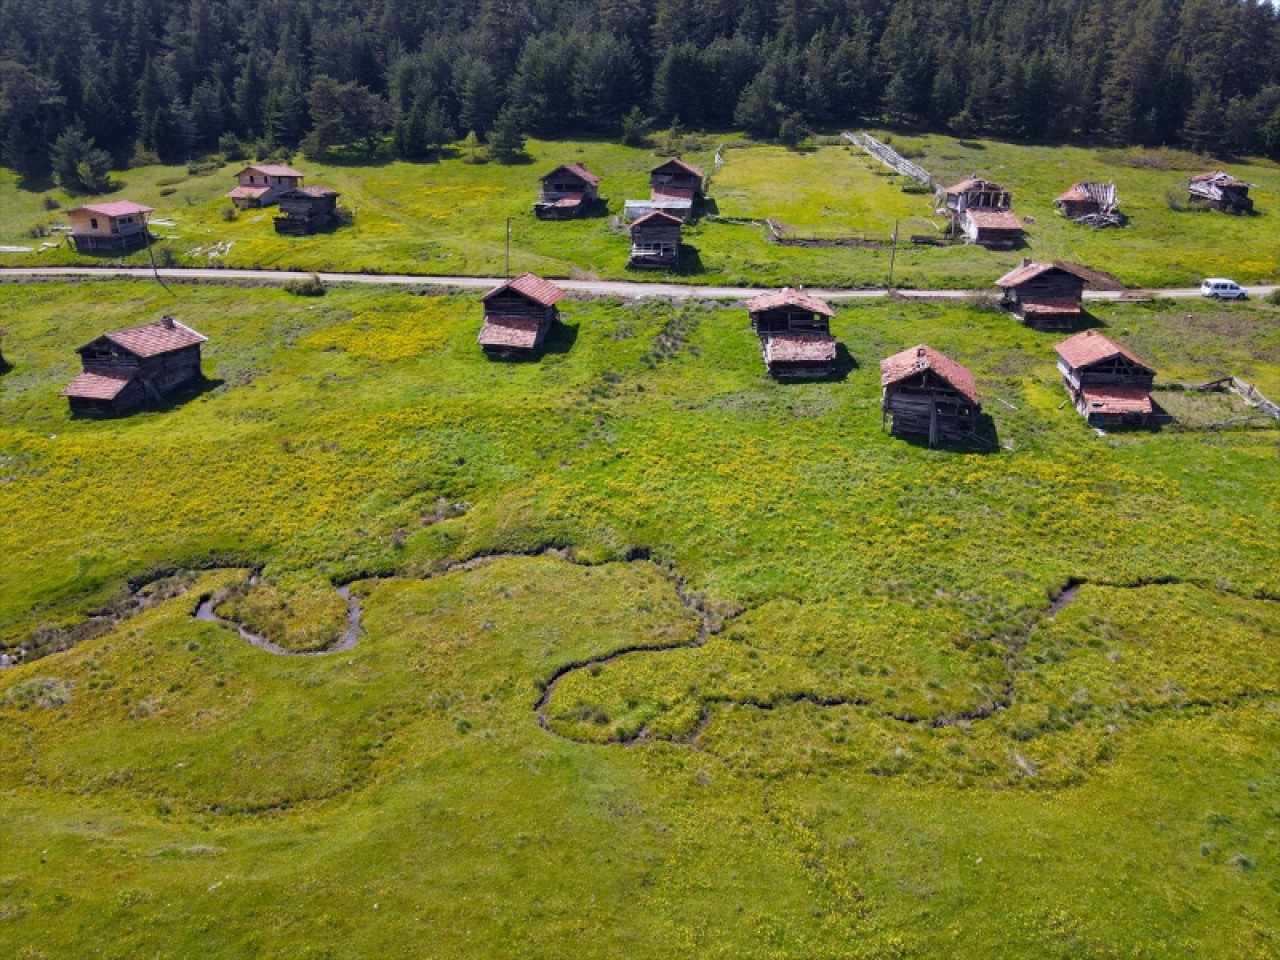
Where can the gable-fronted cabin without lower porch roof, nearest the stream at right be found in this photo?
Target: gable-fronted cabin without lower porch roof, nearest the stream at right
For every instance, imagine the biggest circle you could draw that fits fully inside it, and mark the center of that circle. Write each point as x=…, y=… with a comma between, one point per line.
x=929, y=395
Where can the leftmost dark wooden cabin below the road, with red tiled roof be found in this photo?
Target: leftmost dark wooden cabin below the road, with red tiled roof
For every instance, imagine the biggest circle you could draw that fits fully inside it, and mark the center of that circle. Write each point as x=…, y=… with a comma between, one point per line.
x=129, y=368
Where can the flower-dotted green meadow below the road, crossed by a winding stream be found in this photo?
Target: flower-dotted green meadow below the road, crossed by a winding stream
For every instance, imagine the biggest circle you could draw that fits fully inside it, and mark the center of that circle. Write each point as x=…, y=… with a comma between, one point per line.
x=660, y=659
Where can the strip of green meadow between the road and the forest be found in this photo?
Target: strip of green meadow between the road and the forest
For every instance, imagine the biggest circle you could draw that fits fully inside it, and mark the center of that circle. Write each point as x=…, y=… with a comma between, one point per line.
x=449, y=218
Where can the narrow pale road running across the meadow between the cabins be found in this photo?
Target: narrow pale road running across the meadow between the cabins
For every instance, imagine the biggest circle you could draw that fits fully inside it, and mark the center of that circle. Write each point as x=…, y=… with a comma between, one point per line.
x=629, y=290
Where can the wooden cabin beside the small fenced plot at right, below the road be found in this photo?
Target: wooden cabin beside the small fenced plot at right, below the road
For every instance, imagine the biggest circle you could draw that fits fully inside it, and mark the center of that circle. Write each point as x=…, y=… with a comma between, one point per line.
x=1108, y=385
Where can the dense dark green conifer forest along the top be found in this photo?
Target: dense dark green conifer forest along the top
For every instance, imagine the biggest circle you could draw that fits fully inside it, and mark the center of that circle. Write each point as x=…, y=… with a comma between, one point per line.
x=90, y=84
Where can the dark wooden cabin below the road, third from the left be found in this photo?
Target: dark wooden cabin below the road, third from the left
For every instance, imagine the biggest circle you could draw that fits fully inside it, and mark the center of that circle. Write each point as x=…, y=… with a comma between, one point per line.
x=796, y=333
